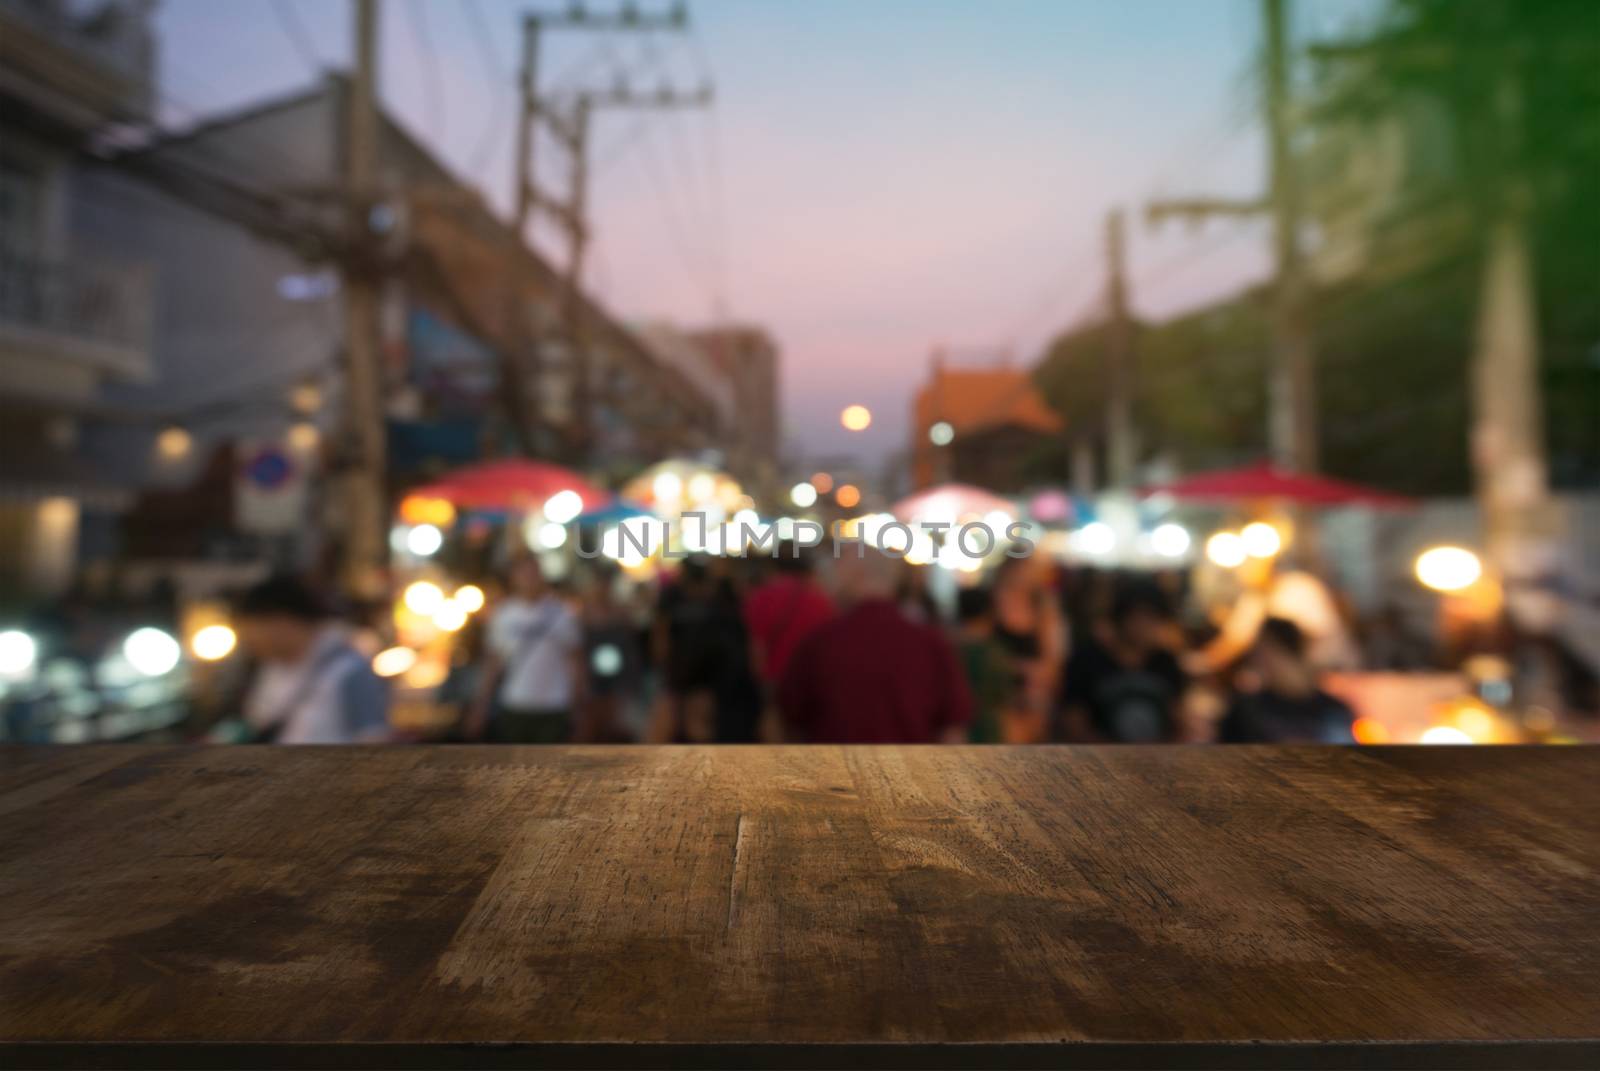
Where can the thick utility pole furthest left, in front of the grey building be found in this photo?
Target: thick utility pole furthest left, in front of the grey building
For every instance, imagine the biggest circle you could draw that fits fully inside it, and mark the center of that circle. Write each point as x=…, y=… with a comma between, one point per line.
x=364, y=500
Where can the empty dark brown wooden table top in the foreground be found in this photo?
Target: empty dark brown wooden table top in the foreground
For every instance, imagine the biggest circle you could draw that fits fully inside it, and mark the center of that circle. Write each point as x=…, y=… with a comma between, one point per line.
x=801, y=907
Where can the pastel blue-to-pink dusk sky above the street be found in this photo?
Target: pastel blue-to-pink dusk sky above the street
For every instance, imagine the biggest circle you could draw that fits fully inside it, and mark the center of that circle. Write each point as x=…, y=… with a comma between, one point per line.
x=876, y=177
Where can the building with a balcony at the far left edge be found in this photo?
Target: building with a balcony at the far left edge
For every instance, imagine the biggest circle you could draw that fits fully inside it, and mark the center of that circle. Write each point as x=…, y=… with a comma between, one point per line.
x=71, y=321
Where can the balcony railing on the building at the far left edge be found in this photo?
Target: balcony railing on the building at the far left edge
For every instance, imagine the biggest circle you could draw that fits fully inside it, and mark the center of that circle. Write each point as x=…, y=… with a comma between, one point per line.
x=78, y=299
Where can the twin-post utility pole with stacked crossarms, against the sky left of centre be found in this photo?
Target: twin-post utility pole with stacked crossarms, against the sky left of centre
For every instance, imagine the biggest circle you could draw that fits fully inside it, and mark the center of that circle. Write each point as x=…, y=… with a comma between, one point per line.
x=529, y=199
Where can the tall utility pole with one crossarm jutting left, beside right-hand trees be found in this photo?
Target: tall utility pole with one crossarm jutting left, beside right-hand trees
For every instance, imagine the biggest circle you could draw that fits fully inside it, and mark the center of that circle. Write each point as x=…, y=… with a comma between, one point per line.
x=1292, y=385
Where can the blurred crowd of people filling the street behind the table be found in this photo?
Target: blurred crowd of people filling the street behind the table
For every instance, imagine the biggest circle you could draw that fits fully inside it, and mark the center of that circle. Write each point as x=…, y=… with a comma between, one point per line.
x=809, y=648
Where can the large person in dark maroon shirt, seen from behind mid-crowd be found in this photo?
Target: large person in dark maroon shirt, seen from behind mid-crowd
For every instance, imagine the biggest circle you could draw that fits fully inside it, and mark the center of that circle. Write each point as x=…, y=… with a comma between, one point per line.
x=873, y=676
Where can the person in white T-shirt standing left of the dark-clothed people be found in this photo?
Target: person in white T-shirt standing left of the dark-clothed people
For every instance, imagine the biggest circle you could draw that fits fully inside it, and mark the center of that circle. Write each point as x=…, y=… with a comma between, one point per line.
x=534, y=680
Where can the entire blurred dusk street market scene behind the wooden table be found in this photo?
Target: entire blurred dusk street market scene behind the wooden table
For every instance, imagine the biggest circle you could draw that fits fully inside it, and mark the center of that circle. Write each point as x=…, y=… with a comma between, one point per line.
x=498, y=372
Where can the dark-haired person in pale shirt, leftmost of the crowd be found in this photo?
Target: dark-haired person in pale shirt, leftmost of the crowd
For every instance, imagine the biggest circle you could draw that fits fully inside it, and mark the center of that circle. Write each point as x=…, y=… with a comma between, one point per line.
x=313, y=688
